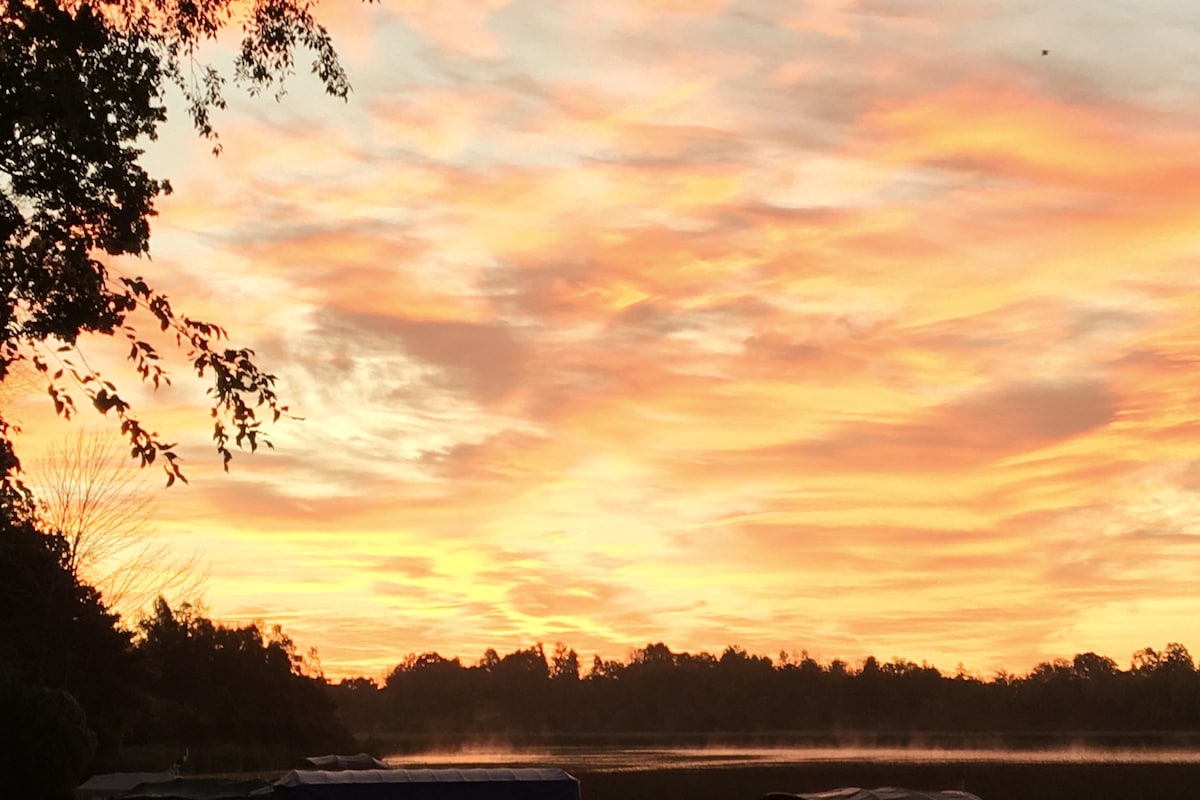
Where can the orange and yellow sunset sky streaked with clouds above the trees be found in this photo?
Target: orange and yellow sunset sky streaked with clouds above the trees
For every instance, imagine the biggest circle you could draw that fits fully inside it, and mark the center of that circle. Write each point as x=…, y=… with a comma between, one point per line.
x=851, y=327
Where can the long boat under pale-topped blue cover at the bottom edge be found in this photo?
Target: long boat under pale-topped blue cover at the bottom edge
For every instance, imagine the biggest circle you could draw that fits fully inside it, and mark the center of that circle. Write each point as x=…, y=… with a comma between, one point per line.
x=491, y=784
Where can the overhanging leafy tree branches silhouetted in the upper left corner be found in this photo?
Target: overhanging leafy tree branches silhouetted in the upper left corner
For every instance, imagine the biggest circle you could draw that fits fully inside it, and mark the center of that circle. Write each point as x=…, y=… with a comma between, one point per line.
x=81, y=85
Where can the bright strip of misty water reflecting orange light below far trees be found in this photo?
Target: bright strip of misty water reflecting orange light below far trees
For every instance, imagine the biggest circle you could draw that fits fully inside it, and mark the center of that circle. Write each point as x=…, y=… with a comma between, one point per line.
x=601, y=760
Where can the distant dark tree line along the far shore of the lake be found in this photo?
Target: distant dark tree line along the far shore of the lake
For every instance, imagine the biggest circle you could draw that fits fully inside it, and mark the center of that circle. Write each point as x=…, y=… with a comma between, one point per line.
x=657, y=691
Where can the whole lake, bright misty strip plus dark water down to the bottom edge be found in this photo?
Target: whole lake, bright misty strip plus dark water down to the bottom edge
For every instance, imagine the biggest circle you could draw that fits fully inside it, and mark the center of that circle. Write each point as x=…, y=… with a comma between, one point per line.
x=749, y=773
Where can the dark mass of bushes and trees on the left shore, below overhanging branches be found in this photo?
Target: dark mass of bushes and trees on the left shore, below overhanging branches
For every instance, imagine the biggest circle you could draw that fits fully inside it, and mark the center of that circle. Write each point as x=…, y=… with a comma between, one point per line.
x=76, y=684
